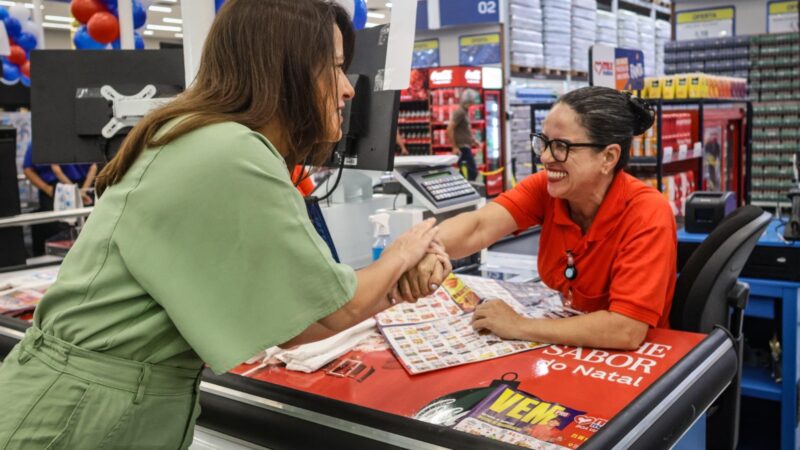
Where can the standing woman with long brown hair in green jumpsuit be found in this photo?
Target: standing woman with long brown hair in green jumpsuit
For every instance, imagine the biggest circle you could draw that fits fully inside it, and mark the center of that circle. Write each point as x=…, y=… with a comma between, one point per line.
x=200, y=249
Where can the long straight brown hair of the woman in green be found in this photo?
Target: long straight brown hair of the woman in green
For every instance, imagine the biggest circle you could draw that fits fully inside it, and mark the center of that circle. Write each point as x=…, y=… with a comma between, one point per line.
x=260, y=63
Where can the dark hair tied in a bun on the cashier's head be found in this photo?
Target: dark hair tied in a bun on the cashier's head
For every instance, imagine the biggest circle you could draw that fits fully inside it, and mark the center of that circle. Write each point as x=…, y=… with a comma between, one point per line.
x=610, y=117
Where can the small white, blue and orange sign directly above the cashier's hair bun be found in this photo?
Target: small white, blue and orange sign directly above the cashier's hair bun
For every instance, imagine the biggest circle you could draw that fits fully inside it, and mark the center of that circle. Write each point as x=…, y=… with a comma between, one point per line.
x=617, y=68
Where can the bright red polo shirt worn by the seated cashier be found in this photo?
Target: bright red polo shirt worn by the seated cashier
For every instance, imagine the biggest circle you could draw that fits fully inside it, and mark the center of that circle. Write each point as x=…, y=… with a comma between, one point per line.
x=626, y=261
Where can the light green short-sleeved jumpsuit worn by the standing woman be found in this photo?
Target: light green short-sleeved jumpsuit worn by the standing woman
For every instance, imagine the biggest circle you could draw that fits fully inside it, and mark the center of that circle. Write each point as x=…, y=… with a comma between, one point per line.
x=202, y=253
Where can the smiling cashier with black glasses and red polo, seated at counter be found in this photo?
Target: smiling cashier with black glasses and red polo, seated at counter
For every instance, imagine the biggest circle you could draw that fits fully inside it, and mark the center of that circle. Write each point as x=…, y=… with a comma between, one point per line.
x=608, y=241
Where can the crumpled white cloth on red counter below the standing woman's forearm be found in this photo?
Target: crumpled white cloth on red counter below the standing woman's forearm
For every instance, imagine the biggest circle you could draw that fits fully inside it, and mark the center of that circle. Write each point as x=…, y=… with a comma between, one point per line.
x=310, y=357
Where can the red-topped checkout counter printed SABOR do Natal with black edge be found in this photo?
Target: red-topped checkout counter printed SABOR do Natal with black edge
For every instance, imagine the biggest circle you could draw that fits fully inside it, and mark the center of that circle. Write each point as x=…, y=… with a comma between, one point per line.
x=643, y=399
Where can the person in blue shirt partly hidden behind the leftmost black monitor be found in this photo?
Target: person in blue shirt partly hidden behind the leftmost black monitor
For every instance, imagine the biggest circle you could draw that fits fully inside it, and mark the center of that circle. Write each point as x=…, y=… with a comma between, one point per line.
x=45, y=178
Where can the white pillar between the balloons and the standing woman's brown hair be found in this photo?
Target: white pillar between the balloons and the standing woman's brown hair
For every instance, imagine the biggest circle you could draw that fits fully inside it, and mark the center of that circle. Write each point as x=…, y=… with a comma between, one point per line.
x=197, y=18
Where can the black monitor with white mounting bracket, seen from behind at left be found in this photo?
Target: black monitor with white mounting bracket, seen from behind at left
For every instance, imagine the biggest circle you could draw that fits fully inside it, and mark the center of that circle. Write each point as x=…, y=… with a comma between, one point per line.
x=67, y=108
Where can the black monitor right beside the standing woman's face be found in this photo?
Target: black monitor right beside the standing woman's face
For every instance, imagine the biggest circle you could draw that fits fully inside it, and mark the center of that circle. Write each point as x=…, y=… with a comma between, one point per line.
x=370, y=127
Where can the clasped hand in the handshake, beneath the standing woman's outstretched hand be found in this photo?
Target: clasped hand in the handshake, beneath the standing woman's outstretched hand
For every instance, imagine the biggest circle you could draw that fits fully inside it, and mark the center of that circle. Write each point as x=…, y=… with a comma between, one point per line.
x=423, y=279
